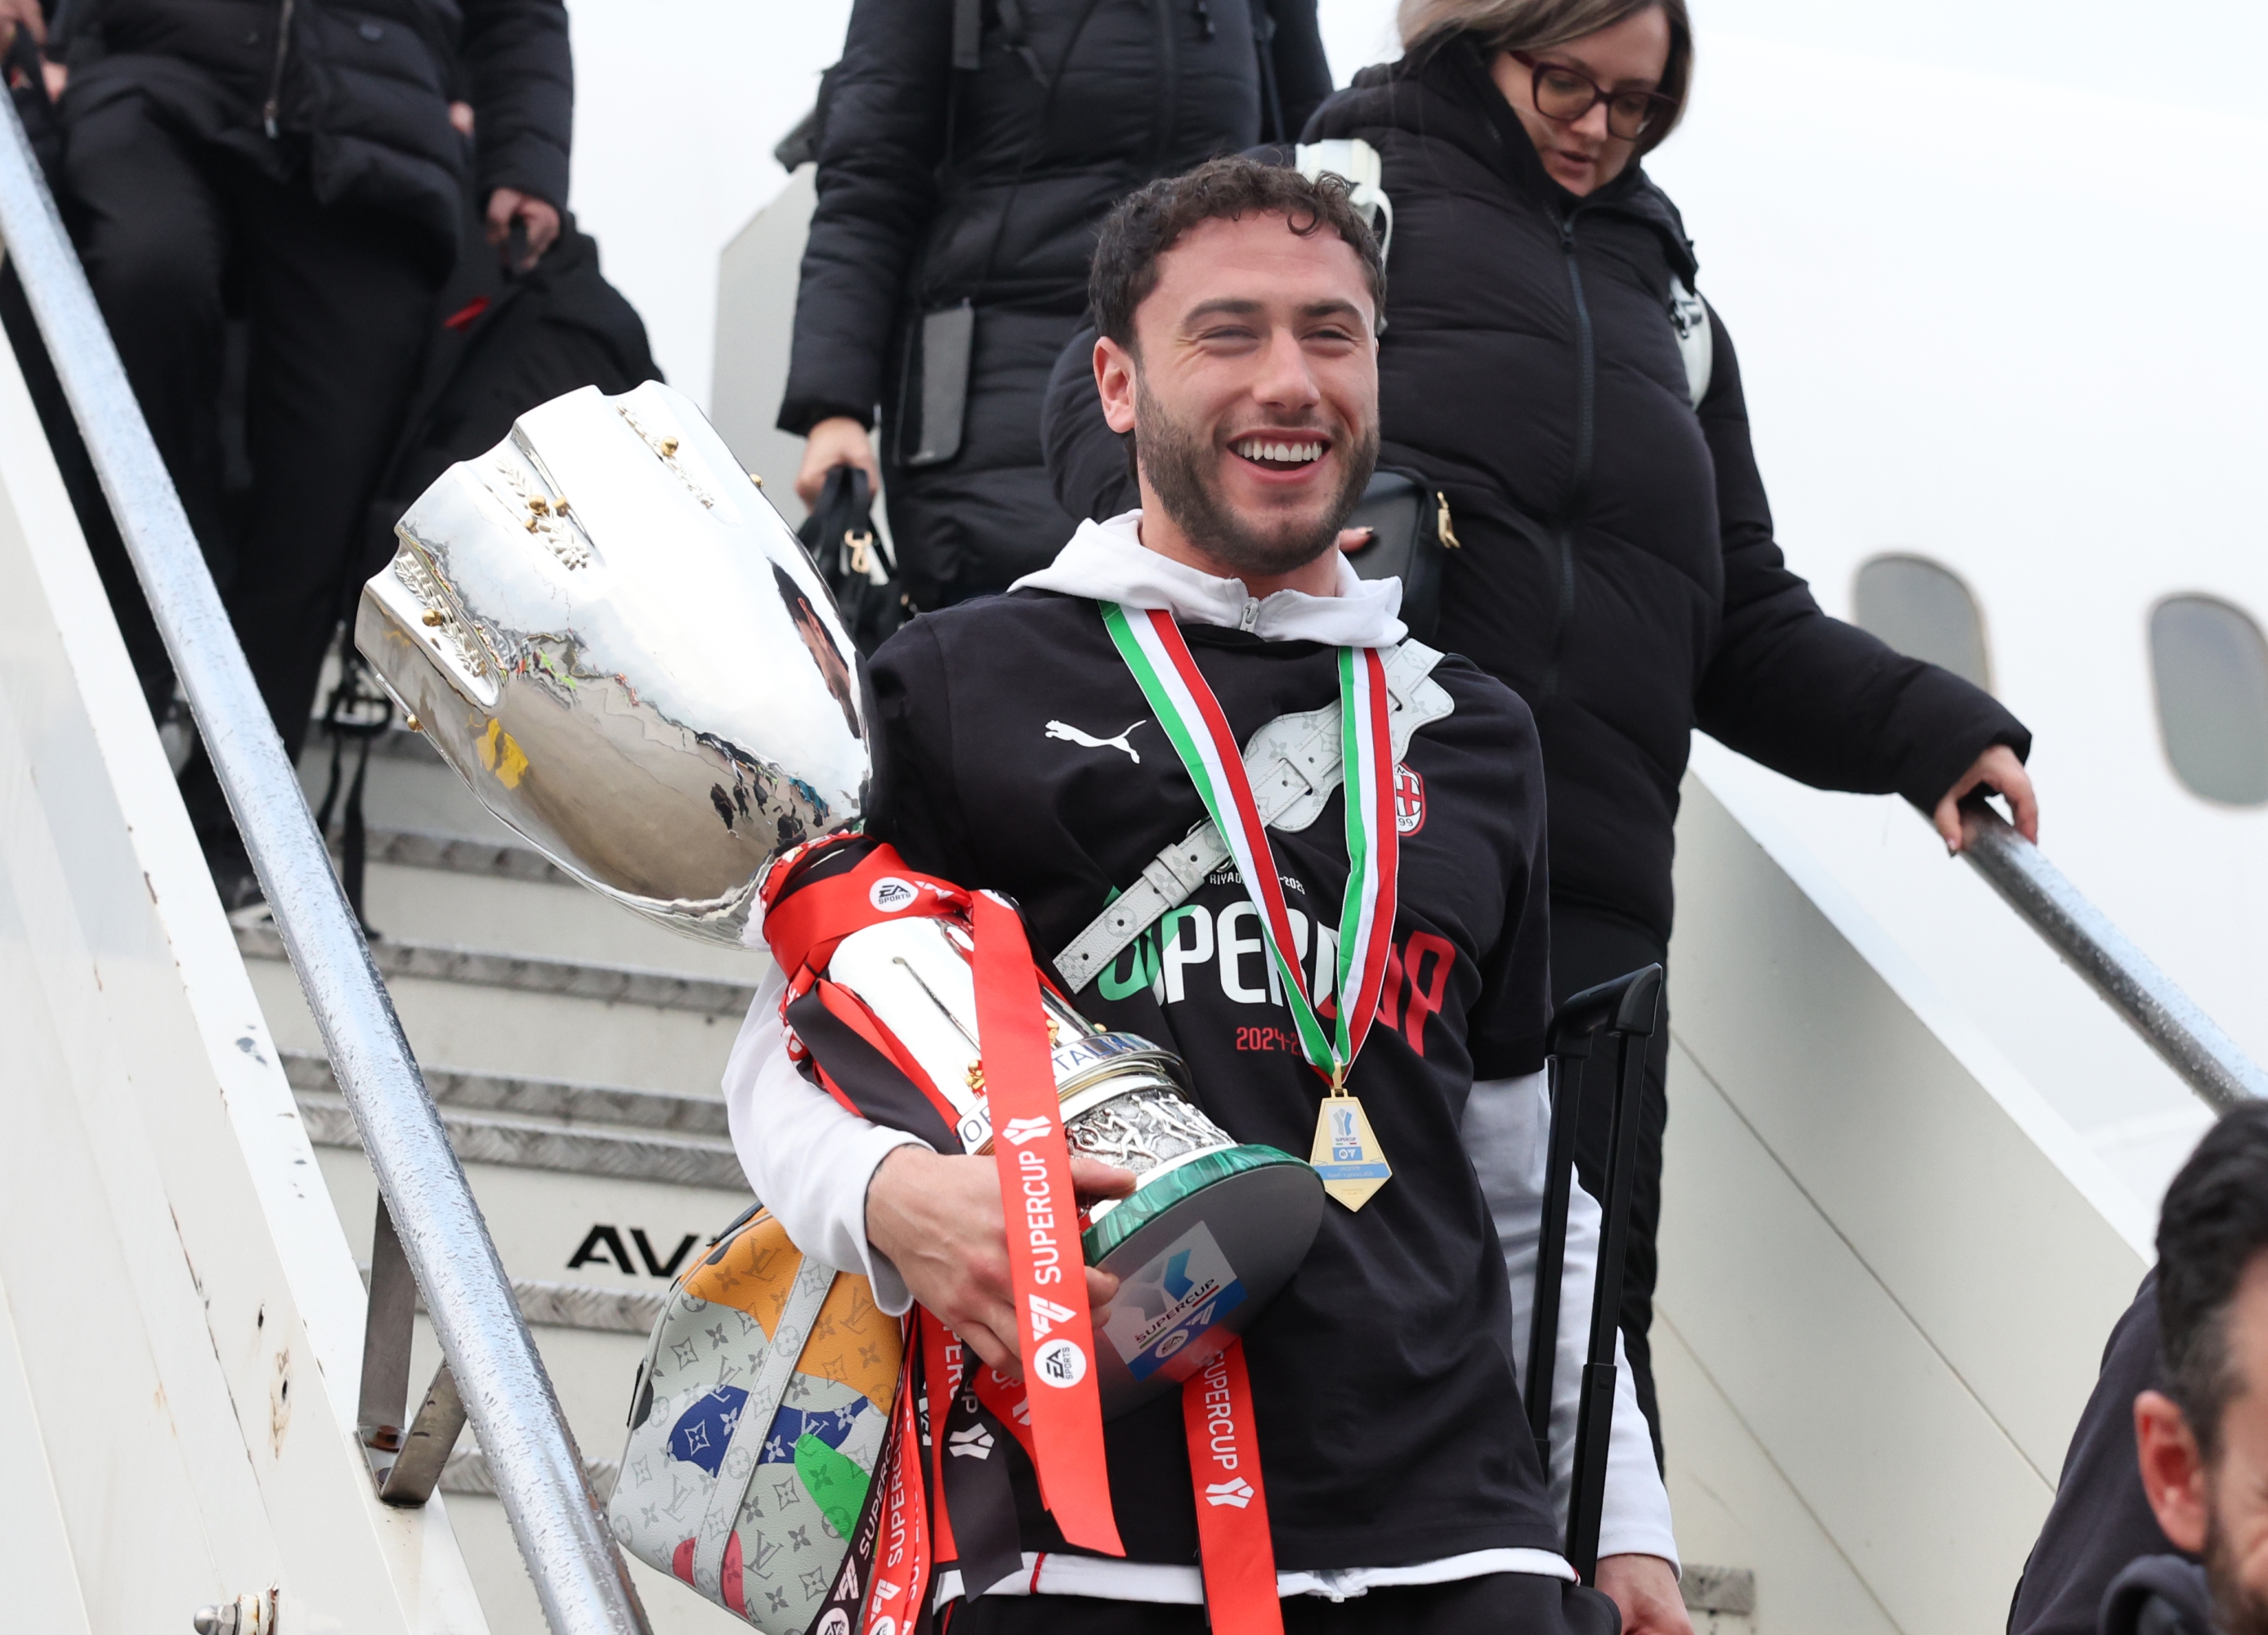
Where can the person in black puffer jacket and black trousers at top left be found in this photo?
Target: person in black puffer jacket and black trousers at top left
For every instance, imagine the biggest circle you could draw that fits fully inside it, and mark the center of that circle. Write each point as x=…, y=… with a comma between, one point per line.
x=303, y=167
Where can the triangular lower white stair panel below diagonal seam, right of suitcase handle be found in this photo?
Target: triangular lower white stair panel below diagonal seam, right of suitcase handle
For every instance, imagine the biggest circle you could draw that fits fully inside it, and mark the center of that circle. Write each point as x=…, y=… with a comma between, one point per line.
x=1734, y=1505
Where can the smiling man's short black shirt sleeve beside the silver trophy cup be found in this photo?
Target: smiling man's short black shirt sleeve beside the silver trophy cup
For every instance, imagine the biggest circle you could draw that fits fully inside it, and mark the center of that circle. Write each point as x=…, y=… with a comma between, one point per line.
x=913, y=804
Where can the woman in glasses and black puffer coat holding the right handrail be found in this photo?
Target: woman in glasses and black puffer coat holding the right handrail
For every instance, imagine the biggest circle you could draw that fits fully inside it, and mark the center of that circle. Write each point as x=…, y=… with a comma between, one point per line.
x=1618, y=566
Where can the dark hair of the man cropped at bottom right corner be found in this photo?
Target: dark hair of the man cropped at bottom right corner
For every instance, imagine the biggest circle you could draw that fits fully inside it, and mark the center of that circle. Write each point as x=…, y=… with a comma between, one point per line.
x=2212, y=1228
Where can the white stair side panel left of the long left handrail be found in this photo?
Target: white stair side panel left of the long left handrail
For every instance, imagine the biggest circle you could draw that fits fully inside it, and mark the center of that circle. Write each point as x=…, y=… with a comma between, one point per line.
x=169, y=1235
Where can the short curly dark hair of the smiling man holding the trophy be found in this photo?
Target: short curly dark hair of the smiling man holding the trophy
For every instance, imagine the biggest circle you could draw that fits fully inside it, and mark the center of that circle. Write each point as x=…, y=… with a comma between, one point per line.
x=1151, y=221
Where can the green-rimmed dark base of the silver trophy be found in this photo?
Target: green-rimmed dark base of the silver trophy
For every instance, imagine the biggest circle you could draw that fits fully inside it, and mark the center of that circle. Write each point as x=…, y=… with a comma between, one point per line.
x=1199, y=1251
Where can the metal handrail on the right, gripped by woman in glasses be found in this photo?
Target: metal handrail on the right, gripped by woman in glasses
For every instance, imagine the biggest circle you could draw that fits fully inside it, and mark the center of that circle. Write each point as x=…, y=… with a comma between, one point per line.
x=2153, y=1006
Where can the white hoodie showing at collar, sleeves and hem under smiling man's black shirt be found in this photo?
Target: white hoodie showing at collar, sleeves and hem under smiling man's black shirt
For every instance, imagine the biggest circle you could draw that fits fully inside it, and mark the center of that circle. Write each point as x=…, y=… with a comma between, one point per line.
x=811, y=1160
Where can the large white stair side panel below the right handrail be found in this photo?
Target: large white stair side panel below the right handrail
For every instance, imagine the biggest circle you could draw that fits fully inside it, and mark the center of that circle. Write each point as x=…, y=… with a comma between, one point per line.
x=1886, y=1251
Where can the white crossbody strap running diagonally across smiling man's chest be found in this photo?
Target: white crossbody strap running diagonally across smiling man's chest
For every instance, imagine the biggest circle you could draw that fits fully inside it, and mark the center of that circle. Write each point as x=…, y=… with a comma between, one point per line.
x=1294, y=765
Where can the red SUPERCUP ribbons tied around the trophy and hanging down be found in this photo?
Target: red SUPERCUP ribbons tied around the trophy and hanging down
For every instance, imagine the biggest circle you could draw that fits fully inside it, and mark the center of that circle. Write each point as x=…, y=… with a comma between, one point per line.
x=1053, y=1412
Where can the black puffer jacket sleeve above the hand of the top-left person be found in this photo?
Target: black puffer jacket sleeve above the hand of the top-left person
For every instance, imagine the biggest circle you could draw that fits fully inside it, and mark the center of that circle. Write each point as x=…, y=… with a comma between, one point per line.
x=521, y=83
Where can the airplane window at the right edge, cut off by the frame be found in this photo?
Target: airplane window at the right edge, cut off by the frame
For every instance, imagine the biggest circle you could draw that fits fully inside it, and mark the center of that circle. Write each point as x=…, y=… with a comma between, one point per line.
x=2212, y=697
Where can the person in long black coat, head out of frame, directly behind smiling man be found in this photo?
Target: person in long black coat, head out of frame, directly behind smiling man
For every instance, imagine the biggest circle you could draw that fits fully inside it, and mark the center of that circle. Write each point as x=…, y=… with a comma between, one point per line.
x=967, y=155
